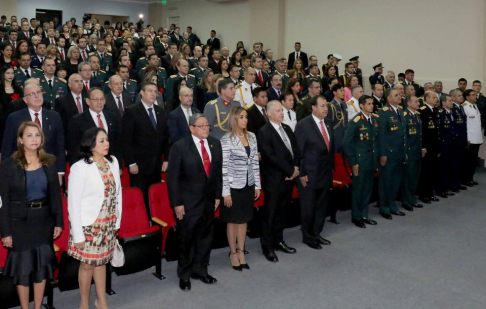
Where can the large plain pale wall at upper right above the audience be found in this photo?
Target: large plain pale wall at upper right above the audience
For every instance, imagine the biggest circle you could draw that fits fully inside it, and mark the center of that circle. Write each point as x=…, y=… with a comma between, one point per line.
x=440, y=40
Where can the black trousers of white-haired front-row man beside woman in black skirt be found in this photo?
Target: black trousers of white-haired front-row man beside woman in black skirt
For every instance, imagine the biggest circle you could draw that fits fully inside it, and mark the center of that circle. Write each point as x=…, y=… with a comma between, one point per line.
x=276, y=208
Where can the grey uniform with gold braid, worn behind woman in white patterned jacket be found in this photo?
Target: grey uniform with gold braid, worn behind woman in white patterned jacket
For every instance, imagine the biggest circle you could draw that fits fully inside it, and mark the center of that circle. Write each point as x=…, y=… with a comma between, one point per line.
x=217, y=112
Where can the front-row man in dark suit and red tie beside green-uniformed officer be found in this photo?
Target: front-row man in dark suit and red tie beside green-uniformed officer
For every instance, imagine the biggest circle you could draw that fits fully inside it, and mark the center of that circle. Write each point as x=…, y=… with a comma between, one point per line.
x=316, y=145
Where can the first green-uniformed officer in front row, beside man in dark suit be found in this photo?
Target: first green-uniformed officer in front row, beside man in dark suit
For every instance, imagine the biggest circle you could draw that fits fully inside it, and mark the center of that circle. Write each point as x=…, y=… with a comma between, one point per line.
x=360, y=145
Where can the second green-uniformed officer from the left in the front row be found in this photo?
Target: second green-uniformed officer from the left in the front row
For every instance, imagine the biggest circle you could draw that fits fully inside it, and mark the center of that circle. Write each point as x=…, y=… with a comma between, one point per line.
x=392, y=153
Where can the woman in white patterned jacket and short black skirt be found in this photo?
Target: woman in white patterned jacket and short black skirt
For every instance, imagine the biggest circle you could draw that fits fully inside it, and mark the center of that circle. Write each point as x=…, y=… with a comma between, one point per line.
x=241, y=183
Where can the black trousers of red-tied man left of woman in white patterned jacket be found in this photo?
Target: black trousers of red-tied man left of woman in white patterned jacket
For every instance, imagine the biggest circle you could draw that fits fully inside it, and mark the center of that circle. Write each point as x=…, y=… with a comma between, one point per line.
x=195, y=235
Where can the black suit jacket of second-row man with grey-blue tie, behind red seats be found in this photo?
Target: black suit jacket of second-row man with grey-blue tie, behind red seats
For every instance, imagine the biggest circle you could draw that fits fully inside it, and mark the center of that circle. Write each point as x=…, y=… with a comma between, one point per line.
x=142, y=144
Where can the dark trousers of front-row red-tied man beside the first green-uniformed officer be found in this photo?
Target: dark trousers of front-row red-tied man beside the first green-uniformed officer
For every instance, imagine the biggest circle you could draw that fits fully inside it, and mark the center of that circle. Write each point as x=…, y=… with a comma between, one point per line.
x=313, y=208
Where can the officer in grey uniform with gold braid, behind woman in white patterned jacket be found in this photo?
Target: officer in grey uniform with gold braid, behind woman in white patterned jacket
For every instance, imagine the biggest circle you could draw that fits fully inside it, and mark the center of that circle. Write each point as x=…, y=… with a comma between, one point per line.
x=217, y=111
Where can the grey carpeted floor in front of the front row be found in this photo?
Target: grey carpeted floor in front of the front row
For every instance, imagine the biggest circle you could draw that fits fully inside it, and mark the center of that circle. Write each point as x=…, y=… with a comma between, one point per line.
x=431, y=258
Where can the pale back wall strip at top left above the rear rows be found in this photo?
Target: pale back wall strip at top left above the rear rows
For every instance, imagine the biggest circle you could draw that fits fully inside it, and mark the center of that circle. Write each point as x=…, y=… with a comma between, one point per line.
x=77, y=8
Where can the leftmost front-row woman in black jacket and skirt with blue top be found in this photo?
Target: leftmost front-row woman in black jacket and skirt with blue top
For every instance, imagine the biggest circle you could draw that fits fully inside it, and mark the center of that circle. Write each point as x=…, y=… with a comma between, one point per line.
x=31, y=215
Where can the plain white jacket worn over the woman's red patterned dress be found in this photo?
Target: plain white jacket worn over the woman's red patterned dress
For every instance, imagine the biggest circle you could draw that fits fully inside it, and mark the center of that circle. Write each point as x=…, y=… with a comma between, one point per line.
x=86, y=195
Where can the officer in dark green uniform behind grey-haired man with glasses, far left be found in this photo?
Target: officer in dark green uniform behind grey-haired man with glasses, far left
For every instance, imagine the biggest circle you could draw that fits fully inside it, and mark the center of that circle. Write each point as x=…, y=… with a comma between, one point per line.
x=52, y=86
